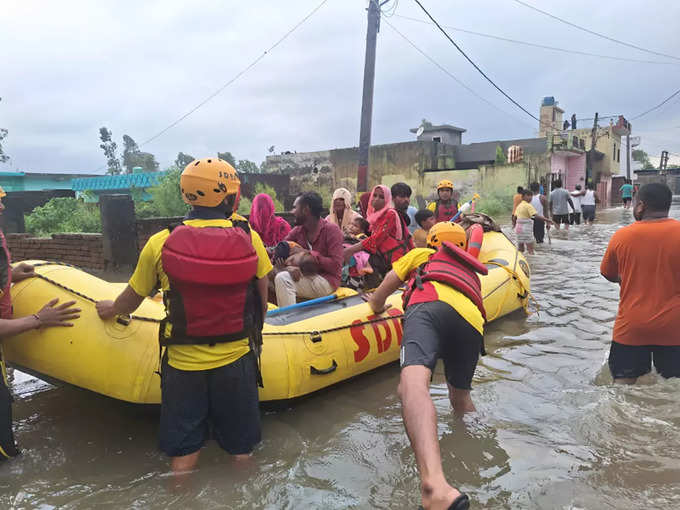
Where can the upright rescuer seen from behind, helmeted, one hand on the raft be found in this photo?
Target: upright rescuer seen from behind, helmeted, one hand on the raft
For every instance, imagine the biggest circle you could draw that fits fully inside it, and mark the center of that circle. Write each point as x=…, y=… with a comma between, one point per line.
x=212, y=269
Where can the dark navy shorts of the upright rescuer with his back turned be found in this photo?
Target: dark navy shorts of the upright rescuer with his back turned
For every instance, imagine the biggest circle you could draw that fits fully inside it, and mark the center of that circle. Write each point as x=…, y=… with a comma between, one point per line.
x=224, y=399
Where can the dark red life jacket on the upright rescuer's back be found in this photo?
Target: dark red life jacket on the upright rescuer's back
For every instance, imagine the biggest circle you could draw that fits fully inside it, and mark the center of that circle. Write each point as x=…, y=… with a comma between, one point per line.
x=212, y=297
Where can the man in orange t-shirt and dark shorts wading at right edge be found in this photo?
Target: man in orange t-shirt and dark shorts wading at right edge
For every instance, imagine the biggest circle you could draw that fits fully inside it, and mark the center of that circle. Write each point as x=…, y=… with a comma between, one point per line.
x=644, y=258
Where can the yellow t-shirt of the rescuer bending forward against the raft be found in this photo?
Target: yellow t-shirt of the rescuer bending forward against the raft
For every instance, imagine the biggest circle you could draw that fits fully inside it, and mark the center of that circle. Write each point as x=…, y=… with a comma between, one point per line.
x=452, y=297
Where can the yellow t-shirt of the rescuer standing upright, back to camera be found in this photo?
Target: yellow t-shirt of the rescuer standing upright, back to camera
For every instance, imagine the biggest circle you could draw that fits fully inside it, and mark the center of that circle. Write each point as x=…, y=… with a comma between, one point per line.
x=149, y=272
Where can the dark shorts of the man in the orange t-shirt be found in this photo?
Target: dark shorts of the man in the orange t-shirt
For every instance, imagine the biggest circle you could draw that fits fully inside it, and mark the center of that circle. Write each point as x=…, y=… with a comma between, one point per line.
x=630, y=361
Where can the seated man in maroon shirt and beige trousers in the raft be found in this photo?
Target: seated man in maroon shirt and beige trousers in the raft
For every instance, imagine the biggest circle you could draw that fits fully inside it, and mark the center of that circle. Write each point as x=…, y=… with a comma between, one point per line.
x=319, y=238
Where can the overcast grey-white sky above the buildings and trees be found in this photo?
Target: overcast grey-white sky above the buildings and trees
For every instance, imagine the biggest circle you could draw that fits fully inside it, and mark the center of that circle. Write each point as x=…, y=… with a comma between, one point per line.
x=70, y=67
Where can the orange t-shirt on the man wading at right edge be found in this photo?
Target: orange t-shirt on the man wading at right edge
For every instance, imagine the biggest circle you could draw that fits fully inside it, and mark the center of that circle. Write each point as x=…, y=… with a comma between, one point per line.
x=646, y=258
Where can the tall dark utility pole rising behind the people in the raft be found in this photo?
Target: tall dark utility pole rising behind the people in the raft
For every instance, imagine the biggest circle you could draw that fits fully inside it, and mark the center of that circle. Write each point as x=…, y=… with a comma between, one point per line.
x=367, y=101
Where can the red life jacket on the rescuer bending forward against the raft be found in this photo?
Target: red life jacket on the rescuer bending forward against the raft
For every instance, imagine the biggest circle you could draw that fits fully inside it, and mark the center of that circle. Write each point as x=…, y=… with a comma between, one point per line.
x=451, y=266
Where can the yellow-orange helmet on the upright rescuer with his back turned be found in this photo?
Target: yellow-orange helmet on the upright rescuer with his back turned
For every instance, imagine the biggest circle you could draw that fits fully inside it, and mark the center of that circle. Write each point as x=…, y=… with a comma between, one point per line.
x=208, y=181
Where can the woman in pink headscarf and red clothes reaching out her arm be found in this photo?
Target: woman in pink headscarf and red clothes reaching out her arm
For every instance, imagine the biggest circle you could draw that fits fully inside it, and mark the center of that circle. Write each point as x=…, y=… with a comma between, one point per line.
x=389, y=239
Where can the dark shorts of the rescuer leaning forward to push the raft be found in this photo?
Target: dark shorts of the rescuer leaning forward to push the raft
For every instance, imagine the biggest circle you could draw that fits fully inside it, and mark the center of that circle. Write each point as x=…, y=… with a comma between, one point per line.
x=436, y=330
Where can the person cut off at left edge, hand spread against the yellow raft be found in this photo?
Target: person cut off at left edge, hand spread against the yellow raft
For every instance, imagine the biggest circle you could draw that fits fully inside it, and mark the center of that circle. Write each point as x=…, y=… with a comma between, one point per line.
x=49, y=315
